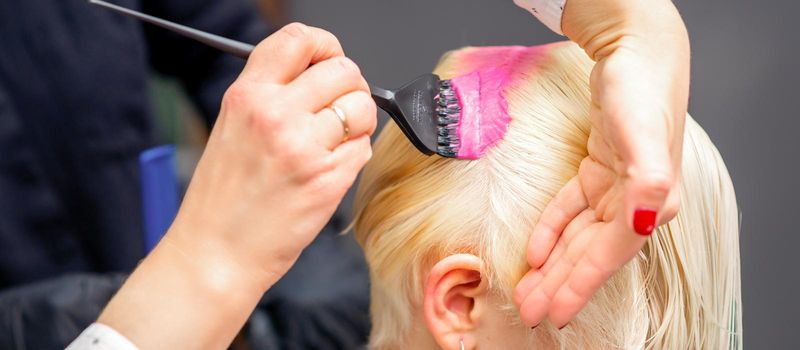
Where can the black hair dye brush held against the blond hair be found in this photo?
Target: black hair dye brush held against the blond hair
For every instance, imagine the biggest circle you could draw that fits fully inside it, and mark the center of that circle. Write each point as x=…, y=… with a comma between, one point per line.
x=427, y=109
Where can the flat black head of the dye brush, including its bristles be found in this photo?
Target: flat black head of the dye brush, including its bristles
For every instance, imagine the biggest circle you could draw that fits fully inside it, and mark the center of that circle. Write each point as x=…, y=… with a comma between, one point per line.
x=427, y=111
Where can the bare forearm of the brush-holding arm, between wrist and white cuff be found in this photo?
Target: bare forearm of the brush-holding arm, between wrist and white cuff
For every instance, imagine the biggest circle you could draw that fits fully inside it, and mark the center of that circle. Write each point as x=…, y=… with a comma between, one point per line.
x=185, y=296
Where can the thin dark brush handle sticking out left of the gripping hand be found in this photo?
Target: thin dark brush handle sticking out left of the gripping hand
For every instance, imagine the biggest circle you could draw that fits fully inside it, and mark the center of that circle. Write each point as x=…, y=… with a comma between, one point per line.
x=233, y=47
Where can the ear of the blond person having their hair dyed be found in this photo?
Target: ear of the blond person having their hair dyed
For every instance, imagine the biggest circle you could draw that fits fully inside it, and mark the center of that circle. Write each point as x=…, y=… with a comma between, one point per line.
x=455, y=300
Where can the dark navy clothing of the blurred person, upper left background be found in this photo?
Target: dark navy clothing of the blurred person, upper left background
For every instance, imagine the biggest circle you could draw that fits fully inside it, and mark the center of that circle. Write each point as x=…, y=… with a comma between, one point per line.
x=74, y=116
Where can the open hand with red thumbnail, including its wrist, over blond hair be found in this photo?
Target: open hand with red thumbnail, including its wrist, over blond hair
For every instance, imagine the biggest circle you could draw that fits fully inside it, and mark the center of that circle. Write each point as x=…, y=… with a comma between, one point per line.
x=629, y=182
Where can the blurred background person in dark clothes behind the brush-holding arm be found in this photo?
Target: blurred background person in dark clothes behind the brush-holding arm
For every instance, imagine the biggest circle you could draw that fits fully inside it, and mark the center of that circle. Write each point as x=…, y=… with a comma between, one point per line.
x=74, y=117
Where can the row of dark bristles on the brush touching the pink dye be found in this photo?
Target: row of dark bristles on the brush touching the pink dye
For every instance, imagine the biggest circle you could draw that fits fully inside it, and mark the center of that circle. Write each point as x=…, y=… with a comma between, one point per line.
x=448, y=112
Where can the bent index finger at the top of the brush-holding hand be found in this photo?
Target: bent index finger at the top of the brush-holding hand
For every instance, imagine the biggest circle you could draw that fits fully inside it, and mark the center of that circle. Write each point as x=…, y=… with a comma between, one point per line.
x=287, y=53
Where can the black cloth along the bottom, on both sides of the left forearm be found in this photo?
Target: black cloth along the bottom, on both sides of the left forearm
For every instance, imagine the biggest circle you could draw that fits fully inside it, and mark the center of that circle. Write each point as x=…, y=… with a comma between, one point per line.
x=320, y=304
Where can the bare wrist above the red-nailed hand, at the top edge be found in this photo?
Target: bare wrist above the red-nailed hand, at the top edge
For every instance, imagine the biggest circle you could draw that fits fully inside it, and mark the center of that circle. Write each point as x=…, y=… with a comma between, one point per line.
x=602, y=26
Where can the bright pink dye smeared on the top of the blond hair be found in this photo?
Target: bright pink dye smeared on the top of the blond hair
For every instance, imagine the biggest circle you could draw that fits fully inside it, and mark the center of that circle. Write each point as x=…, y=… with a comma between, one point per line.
x=481, y=92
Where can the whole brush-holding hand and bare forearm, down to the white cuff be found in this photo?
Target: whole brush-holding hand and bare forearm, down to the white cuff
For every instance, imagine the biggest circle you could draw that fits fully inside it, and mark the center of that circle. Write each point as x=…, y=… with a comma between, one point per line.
x=274, y=171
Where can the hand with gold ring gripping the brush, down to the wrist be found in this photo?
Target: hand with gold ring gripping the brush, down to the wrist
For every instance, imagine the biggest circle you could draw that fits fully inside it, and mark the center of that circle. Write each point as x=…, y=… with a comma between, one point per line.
x=276, y=166
